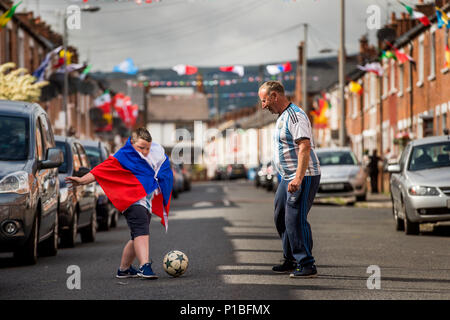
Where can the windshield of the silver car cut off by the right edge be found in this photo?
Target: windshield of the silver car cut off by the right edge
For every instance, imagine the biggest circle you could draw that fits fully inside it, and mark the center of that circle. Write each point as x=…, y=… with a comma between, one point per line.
x=430, y=156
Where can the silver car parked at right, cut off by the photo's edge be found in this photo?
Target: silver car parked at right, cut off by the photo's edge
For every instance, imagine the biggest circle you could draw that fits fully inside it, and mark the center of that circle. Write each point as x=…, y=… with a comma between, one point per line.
x=420, y=184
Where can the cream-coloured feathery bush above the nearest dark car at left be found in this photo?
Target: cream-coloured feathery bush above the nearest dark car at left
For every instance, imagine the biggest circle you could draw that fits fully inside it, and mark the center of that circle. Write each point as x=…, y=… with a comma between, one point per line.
x=18, y=84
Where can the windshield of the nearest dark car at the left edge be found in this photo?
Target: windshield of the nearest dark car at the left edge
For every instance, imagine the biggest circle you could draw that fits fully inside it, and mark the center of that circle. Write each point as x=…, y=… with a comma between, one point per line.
x=14, y=138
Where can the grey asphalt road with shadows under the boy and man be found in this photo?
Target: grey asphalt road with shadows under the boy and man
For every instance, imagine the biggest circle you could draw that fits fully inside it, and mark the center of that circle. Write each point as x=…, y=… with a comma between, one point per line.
x=227, y=231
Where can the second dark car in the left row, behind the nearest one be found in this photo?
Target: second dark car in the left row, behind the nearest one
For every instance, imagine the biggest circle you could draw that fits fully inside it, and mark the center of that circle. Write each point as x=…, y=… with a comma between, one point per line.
x=76, y=204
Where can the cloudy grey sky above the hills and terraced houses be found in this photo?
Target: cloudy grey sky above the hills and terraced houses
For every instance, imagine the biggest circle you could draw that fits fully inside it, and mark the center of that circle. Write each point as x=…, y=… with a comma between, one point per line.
x=207, y=33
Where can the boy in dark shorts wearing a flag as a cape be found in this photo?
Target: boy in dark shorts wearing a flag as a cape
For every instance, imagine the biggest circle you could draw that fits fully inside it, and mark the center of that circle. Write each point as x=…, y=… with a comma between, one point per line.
x=146, y=158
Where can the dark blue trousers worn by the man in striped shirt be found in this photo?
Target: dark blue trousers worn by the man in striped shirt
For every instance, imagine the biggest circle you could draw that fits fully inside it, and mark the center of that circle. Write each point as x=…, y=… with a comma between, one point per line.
x=291, y=212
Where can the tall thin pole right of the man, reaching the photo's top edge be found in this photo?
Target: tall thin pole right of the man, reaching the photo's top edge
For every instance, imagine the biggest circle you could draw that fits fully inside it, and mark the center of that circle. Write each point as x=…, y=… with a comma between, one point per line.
x=342, y=131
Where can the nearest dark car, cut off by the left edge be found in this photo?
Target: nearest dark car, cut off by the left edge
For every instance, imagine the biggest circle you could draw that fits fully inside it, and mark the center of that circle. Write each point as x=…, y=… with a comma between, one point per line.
x=29, y=185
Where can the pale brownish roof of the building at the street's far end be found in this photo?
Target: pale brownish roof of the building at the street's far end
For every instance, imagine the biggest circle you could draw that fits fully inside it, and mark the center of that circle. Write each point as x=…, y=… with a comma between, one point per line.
x=177, y=108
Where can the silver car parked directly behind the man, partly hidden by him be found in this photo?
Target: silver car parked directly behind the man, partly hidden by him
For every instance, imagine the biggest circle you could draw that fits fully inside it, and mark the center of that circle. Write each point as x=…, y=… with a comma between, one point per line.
x=341, y=174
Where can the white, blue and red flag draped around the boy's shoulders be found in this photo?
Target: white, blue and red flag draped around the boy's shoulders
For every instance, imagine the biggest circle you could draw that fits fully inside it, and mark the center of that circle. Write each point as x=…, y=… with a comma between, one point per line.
x=128, y=176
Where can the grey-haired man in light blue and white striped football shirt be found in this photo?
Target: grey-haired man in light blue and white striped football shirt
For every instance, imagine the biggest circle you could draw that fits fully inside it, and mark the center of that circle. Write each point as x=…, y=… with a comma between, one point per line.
x=295, y=160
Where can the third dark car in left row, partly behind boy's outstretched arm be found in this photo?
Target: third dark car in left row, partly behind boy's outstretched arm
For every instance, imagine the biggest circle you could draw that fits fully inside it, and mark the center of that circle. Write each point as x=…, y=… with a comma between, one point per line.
x=107, y=214
